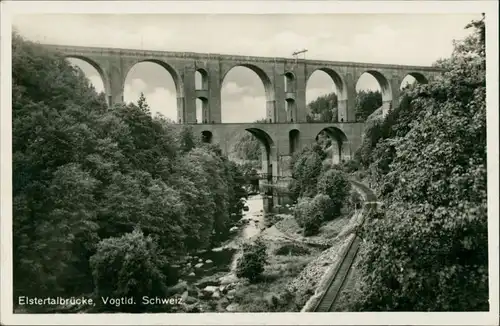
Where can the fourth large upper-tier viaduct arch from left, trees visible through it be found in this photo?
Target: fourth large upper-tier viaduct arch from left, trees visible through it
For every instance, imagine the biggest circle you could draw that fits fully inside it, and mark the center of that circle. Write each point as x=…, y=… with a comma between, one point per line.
x=339, y=88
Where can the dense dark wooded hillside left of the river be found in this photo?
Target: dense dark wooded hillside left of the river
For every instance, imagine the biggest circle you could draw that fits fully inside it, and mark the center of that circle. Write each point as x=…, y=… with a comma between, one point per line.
x=83, y=173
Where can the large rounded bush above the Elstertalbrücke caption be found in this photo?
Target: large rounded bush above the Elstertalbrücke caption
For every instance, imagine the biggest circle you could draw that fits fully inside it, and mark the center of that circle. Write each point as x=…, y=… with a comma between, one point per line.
x=129, y=266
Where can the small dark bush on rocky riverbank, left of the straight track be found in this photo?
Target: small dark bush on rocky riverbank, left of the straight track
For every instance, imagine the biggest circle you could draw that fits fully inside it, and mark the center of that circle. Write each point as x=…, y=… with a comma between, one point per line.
x=251, y=264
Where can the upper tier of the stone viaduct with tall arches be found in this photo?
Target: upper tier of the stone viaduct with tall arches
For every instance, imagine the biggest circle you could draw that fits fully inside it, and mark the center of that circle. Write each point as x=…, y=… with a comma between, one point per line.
x=284, y=79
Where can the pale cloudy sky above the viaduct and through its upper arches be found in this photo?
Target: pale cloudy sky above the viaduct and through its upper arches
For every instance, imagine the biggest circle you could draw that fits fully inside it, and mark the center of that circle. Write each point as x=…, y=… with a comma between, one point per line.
x=413, y=39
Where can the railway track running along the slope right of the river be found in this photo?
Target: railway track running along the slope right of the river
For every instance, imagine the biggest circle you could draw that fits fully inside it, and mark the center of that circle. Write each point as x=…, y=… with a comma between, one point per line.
x=339, y=275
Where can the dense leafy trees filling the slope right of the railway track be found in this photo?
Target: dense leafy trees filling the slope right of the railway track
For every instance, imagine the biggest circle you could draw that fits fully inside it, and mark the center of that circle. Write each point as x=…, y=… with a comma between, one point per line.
x=427, y=160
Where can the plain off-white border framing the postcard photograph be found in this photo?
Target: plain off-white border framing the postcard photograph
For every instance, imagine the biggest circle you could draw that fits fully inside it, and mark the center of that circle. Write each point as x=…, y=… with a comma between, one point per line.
x=10, y=8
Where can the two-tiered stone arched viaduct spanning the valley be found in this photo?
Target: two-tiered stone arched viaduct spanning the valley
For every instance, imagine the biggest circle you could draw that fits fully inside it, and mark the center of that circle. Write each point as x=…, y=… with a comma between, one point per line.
x=284, y=79
